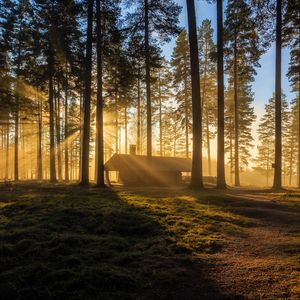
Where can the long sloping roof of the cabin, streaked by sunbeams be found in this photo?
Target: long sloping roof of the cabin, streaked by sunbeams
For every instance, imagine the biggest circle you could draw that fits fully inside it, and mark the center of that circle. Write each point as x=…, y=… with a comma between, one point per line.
x=119, y=162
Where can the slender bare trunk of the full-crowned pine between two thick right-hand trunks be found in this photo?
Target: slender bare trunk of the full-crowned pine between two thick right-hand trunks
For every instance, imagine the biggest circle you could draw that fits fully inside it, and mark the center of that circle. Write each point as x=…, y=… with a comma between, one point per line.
x=236, y=121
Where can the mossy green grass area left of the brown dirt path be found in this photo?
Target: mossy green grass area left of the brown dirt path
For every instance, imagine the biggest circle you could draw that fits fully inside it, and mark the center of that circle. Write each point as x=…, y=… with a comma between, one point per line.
x=66, y=242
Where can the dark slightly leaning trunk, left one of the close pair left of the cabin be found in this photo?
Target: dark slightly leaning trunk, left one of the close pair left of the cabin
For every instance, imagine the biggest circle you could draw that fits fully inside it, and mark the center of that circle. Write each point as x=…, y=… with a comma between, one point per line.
x=87, y=99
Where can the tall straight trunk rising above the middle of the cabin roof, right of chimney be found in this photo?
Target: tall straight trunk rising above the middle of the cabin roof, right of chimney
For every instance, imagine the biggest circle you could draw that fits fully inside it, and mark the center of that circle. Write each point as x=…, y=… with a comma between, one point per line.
x=148, y=84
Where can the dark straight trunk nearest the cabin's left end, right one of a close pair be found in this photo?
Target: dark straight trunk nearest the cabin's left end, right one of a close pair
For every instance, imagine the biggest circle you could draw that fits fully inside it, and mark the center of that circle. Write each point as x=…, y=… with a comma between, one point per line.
x=99, y=112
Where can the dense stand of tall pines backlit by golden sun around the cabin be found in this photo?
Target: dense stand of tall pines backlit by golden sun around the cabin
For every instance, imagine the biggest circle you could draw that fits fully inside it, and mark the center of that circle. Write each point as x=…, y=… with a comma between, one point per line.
x=83, y=80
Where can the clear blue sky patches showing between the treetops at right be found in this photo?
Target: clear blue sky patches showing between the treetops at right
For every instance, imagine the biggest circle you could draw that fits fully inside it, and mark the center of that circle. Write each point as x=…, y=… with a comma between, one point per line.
x=264, y=84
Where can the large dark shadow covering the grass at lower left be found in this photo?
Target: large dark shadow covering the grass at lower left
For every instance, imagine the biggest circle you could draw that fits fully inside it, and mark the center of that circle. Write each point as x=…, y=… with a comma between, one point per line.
x=66, y=242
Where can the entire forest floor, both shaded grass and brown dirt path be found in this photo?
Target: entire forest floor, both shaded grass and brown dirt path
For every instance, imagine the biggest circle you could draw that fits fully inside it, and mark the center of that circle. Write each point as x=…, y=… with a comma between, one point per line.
x=63, y=241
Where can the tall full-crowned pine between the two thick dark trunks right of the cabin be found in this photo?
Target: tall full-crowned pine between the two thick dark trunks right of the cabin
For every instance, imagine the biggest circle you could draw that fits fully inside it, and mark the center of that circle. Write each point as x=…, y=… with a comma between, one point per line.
x=243, y=49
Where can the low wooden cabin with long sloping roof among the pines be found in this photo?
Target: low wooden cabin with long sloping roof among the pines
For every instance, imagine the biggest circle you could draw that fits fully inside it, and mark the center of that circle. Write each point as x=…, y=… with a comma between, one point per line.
x=140, y=170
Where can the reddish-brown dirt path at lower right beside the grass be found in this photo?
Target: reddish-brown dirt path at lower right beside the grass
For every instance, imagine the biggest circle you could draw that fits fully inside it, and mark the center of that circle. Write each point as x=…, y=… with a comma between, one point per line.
x=265, y=263
